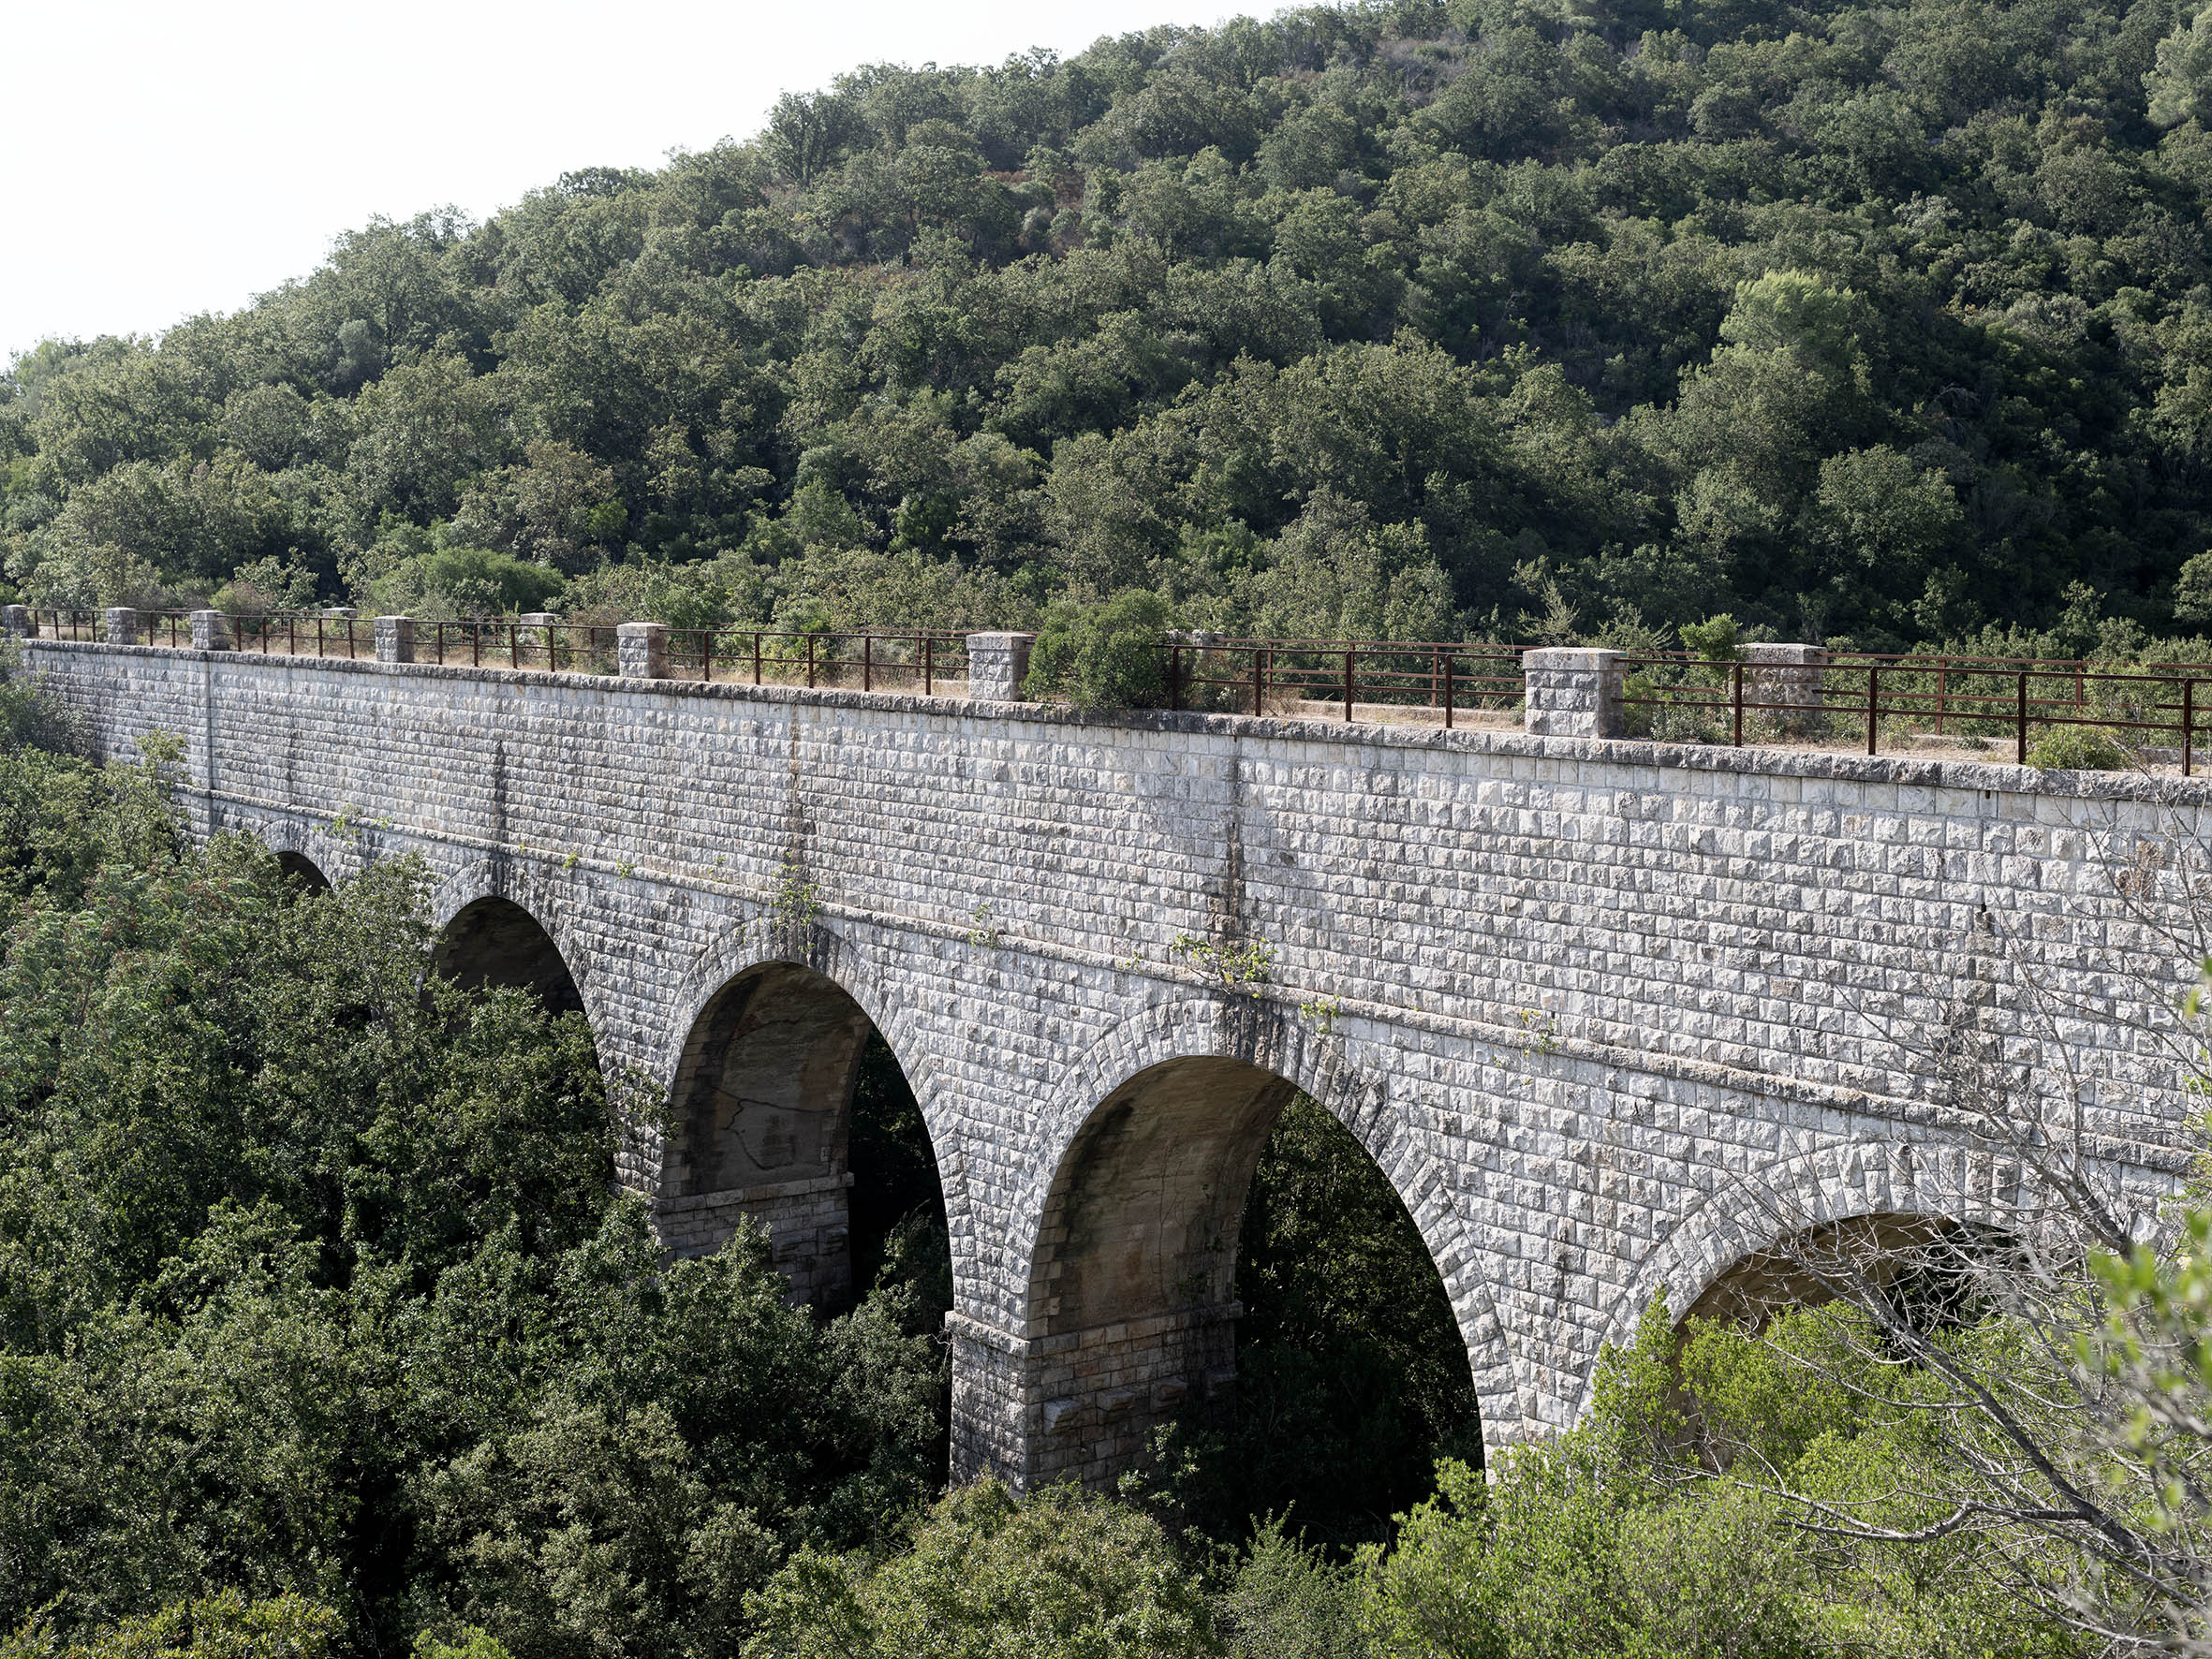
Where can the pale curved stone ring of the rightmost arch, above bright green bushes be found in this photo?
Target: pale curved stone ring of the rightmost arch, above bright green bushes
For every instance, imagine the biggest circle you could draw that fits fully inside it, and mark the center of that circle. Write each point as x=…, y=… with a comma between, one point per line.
x=1846, y=1182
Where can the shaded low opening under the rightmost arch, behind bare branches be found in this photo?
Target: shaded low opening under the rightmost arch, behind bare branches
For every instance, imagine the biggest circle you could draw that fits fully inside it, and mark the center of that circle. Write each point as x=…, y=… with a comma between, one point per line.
x=1923, y=1264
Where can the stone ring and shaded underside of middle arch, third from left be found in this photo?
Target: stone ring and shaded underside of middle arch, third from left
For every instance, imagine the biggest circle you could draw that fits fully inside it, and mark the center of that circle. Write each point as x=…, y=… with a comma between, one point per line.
x=762, y=1065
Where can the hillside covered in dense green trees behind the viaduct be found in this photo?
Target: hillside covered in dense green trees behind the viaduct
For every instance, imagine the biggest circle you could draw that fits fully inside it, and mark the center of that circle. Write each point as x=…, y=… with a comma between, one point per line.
x=1872, y=324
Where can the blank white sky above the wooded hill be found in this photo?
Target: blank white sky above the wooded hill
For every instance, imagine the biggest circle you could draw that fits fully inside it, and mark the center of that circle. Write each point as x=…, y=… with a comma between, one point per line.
x=167, y=160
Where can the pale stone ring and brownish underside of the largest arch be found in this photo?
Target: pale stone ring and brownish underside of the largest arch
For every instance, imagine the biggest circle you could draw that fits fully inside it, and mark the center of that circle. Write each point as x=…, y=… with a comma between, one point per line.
x=1125, y=1231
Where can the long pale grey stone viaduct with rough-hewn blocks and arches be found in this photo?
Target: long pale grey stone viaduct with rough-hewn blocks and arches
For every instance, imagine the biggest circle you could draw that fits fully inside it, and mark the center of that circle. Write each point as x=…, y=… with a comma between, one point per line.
x=1609, y=1014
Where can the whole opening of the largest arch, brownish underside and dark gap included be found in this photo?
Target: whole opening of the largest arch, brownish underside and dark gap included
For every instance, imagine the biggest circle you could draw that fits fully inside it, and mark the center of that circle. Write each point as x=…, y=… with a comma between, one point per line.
x=1213, y=1200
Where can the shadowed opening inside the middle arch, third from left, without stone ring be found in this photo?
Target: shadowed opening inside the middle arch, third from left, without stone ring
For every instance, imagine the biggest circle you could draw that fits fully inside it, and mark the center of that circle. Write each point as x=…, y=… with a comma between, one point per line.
x=762, y=1116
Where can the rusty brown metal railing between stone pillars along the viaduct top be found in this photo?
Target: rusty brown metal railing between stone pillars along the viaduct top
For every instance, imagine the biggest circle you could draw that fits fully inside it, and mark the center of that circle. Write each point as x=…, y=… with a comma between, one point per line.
x=1819, y=702
